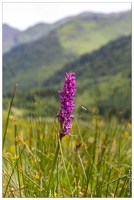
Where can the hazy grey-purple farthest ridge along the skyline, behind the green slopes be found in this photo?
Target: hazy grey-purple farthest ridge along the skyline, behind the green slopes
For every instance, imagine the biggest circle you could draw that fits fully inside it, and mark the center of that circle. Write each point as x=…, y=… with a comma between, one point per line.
x=13, y=37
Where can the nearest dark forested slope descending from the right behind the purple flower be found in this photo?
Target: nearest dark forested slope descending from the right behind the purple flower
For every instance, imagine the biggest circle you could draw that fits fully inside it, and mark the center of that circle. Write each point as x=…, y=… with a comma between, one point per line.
x=104, y=74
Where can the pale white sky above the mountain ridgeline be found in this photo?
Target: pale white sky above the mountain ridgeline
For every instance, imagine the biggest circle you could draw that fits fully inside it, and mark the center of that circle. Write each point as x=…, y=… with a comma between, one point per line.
x=23, y=15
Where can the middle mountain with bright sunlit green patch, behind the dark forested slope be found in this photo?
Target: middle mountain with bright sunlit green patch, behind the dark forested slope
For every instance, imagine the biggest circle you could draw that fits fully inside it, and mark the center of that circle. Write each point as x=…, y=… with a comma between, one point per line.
x=31, y=64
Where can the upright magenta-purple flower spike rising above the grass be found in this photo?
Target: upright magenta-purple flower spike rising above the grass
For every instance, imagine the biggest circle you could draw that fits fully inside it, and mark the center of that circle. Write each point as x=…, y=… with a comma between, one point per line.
x=67, y=97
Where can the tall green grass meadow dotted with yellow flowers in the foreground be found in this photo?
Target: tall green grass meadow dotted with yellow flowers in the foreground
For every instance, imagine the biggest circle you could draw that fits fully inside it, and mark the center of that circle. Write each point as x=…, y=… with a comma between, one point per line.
x=94, y=161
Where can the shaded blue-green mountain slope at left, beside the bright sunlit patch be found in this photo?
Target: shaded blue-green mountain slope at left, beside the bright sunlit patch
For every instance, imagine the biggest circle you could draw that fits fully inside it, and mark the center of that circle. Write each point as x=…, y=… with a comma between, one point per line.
x=28, y=65
